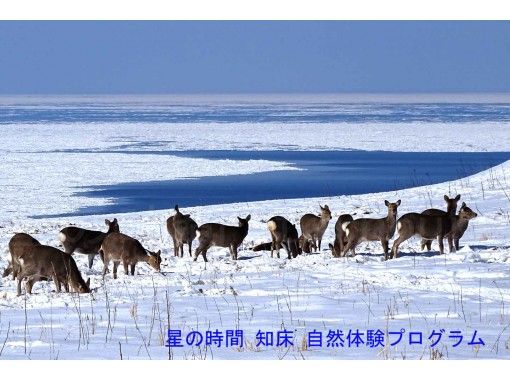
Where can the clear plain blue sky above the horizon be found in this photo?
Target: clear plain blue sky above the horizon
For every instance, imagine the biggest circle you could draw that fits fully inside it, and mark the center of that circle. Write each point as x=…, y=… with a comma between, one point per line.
x=253, y=57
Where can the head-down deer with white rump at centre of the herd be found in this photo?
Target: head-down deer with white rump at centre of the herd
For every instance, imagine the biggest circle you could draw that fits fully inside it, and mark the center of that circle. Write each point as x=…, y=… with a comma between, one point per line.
x=283, y=233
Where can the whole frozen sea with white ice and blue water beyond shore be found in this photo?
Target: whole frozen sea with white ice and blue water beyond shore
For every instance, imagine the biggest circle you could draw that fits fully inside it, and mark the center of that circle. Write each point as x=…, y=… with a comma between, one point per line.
x=82, y=155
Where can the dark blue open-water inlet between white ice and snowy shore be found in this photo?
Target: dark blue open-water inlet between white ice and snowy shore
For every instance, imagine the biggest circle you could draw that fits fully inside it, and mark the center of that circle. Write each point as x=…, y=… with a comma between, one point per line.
x=325, y=173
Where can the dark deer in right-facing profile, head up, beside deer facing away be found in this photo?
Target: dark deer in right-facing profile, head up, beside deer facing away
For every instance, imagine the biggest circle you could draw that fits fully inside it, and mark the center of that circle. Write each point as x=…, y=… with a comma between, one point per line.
x=220, y=235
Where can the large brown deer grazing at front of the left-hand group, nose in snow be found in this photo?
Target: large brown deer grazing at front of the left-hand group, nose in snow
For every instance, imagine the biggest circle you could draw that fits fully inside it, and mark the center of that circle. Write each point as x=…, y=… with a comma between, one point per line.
x=42, y=262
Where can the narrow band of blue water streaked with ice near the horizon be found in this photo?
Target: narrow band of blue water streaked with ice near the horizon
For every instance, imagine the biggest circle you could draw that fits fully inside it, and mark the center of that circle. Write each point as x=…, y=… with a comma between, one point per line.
x=175, y=111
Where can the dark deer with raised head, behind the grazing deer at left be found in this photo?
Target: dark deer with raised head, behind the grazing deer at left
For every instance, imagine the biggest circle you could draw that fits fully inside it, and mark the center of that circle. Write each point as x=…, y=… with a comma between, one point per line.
x=81, y=240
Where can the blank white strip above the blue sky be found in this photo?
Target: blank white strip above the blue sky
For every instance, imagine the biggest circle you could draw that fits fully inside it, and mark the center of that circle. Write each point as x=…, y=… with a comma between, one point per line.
x=254, y=10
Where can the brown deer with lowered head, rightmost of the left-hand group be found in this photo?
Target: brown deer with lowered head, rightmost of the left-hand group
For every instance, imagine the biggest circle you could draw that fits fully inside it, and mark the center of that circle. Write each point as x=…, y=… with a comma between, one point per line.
x=119, y=247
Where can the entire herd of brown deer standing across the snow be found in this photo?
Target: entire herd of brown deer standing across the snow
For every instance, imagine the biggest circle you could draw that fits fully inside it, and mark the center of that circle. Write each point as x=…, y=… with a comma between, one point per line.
x=34, y=262
